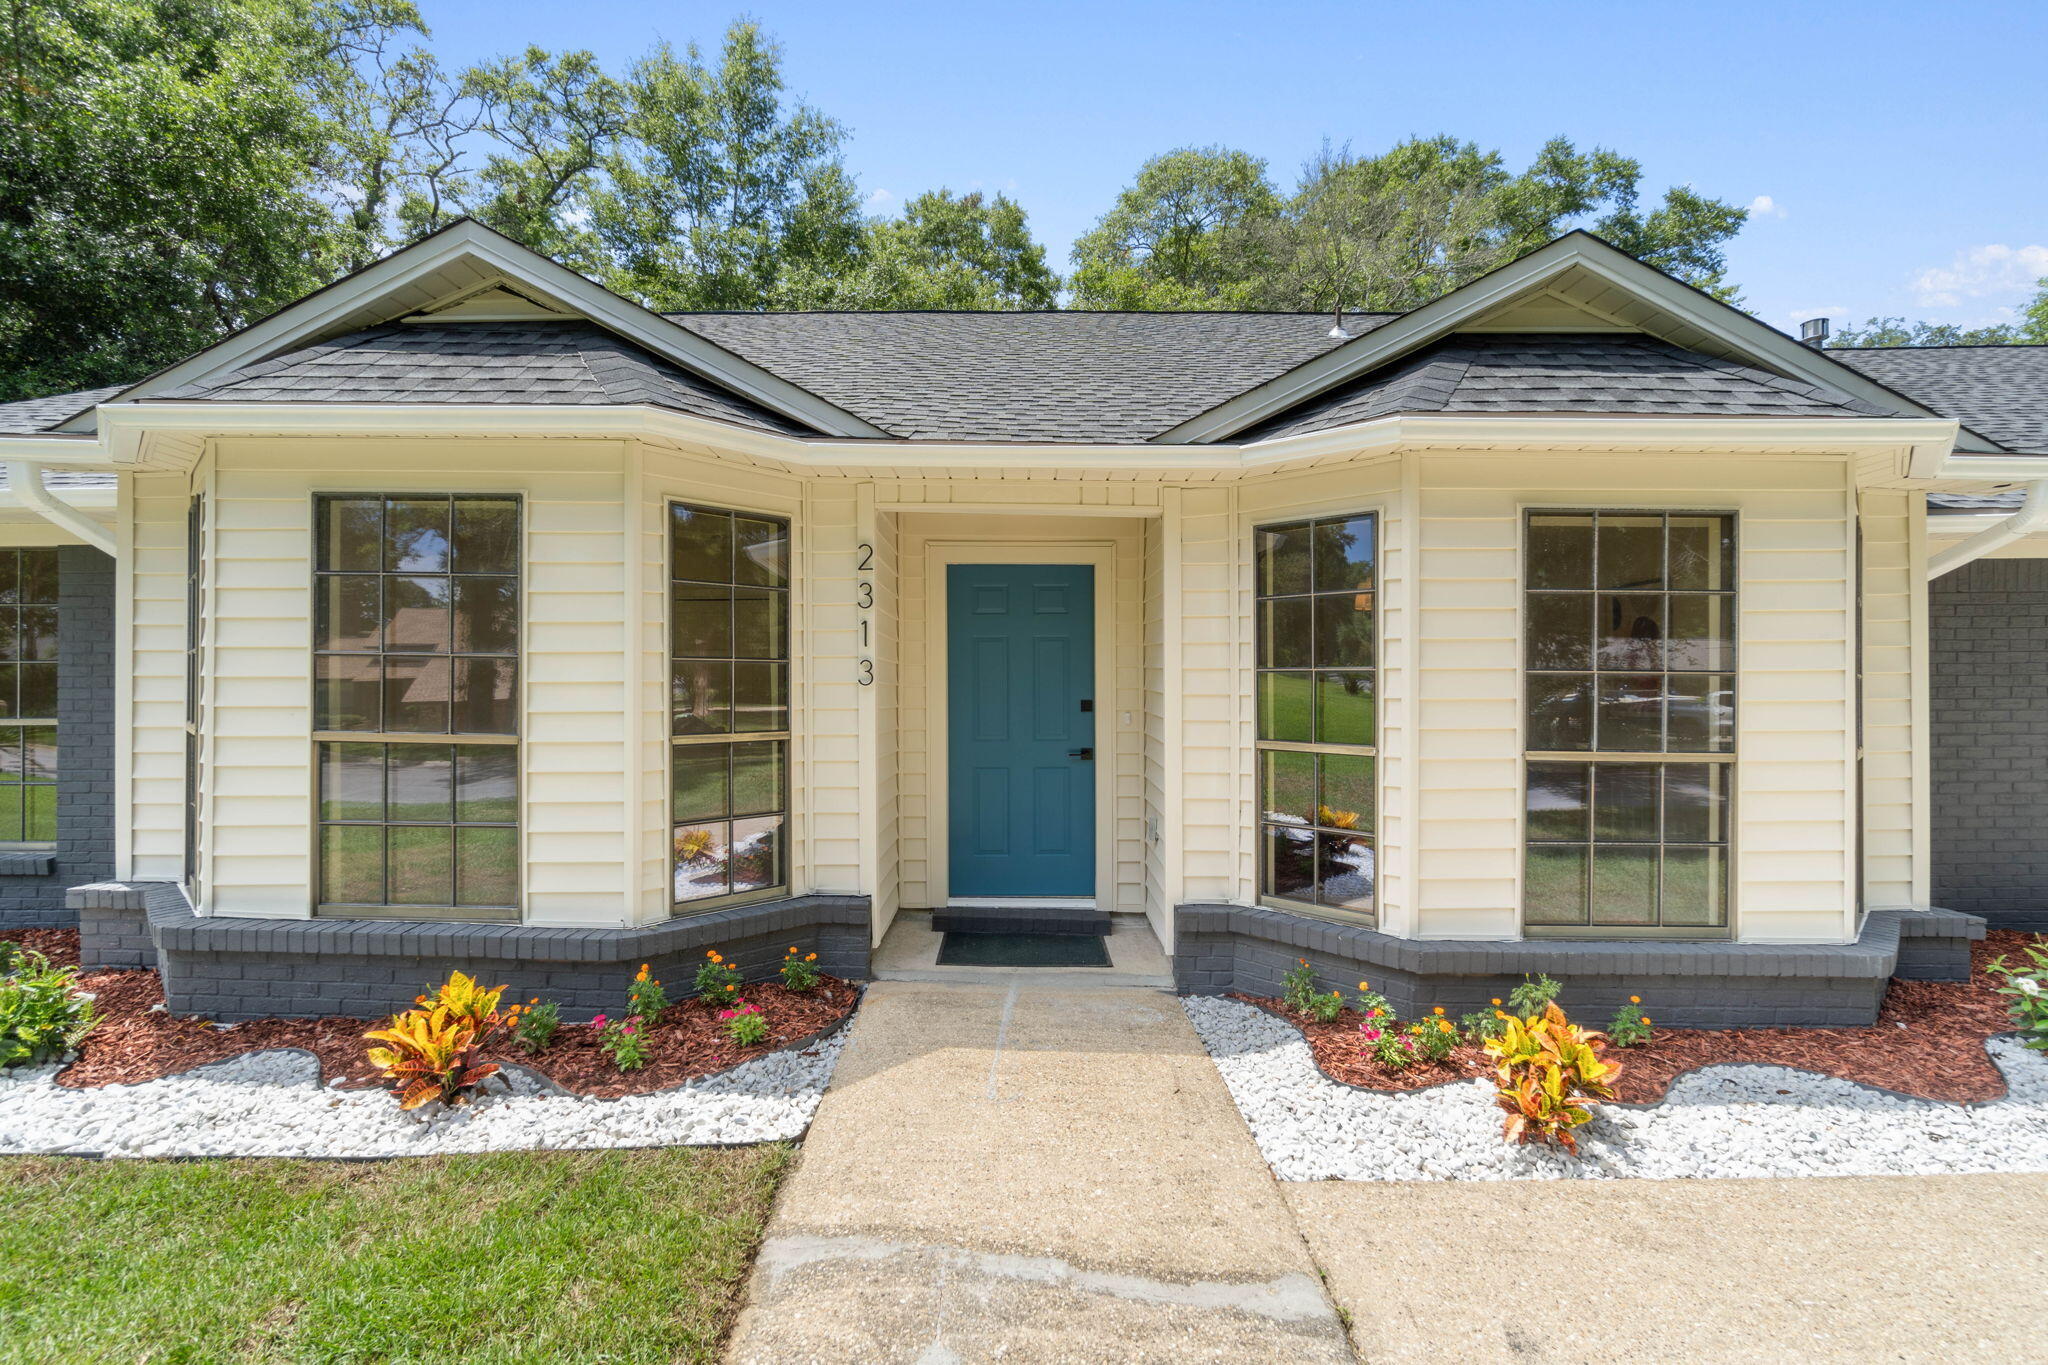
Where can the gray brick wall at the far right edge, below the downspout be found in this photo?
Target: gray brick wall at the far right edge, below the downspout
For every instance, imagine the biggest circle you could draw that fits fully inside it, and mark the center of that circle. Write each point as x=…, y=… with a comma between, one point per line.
x=1990, y=691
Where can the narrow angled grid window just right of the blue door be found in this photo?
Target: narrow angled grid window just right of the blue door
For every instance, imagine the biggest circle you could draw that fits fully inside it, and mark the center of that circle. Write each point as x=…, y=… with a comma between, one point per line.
x=1318, y=713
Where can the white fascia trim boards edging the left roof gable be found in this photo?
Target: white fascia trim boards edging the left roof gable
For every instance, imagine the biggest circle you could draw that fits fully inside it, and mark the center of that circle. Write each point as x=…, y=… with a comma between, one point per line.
x=558, y=283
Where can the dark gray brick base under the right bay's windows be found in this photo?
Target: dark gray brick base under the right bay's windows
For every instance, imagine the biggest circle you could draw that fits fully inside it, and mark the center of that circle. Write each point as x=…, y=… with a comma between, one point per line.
x=1684, y=985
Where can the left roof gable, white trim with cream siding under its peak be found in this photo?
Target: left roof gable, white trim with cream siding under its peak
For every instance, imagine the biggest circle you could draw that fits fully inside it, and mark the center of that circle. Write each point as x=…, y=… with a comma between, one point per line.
x=462, y=263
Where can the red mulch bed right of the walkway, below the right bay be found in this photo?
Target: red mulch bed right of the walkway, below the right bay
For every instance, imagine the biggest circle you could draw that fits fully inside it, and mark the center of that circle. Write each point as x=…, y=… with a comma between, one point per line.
x=1928, y=1043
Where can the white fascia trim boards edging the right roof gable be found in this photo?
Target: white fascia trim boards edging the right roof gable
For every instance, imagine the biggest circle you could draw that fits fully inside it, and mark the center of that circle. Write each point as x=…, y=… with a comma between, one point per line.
x=1443, y=316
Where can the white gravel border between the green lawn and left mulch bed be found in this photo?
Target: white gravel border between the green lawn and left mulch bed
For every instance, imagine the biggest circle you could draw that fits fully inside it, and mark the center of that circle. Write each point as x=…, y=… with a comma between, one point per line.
x=271, y=1104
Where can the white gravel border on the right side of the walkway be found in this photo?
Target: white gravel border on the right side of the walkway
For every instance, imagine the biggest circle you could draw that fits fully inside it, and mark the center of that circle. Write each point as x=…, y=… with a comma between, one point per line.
x=1719, y=1122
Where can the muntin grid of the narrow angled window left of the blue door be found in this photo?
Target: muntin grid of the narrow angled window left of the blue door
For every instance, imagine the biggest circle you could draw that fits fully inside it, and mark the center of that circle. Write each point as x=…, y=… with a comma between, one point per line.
x=767, y=582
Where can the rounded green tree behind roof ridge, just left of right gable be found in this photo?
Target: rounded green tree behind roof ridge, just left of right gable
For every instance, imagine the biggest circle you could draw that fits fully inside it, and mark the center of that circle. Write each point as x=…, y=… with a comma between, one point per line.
x=1187, y=234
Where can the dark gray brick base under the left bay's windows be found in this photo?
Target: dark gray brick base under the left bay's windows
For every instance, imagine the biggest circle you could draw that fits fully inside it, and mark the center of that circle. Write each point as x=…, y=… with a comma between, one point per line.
x=251, y=969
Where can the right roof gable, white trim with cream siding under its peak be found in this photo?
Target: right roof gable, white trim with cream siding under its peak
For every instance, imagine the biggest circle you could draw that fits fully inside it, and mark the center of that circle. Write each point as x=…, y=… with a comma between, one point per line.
x=1584, y=275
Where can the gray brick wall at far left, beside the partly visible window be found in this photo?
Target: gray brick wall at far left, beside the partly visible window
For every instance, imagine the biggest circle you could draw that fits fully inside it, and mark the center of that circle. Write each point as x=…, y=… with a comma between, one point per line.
x=32, y=889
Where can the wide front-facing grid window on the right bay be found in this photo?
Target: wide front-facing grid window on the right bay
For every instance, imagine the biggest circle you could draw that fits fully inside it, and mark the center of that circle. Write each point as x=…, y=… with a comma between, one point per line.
x=1629, y=723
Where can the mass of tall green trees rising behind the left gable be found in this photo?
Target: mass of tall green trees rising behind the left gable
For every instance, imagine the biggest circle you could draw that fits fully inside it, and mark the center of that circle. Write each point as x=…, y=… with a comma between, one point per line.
x=177, y=169
